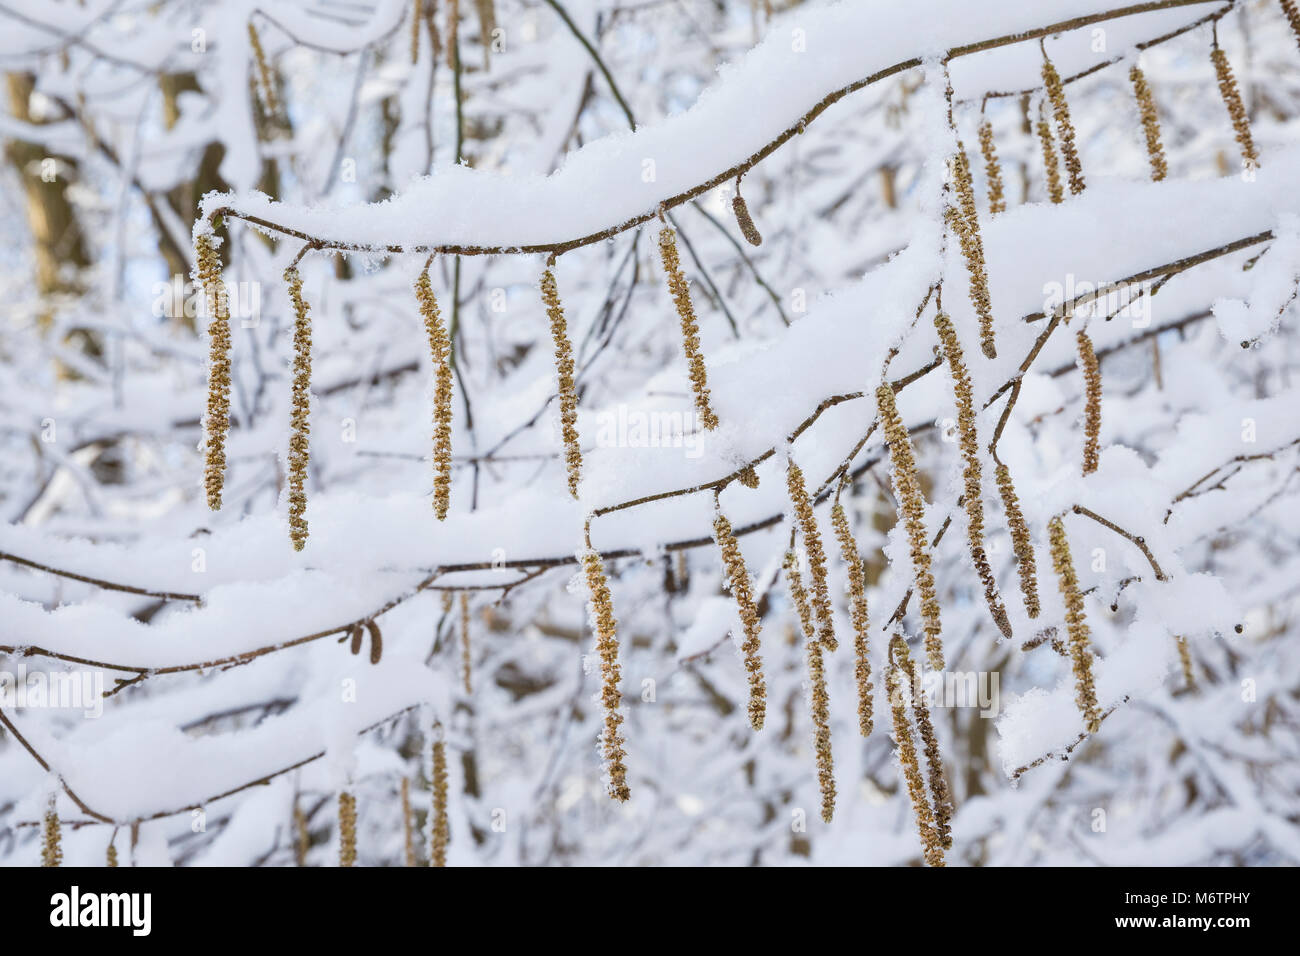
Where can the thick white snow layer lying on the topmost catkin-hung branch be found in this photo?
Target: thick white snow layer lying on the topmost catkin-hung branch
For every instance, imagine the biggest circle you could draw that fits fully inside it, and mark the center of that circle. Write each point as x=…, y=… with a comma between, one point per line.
x=807, y=57
